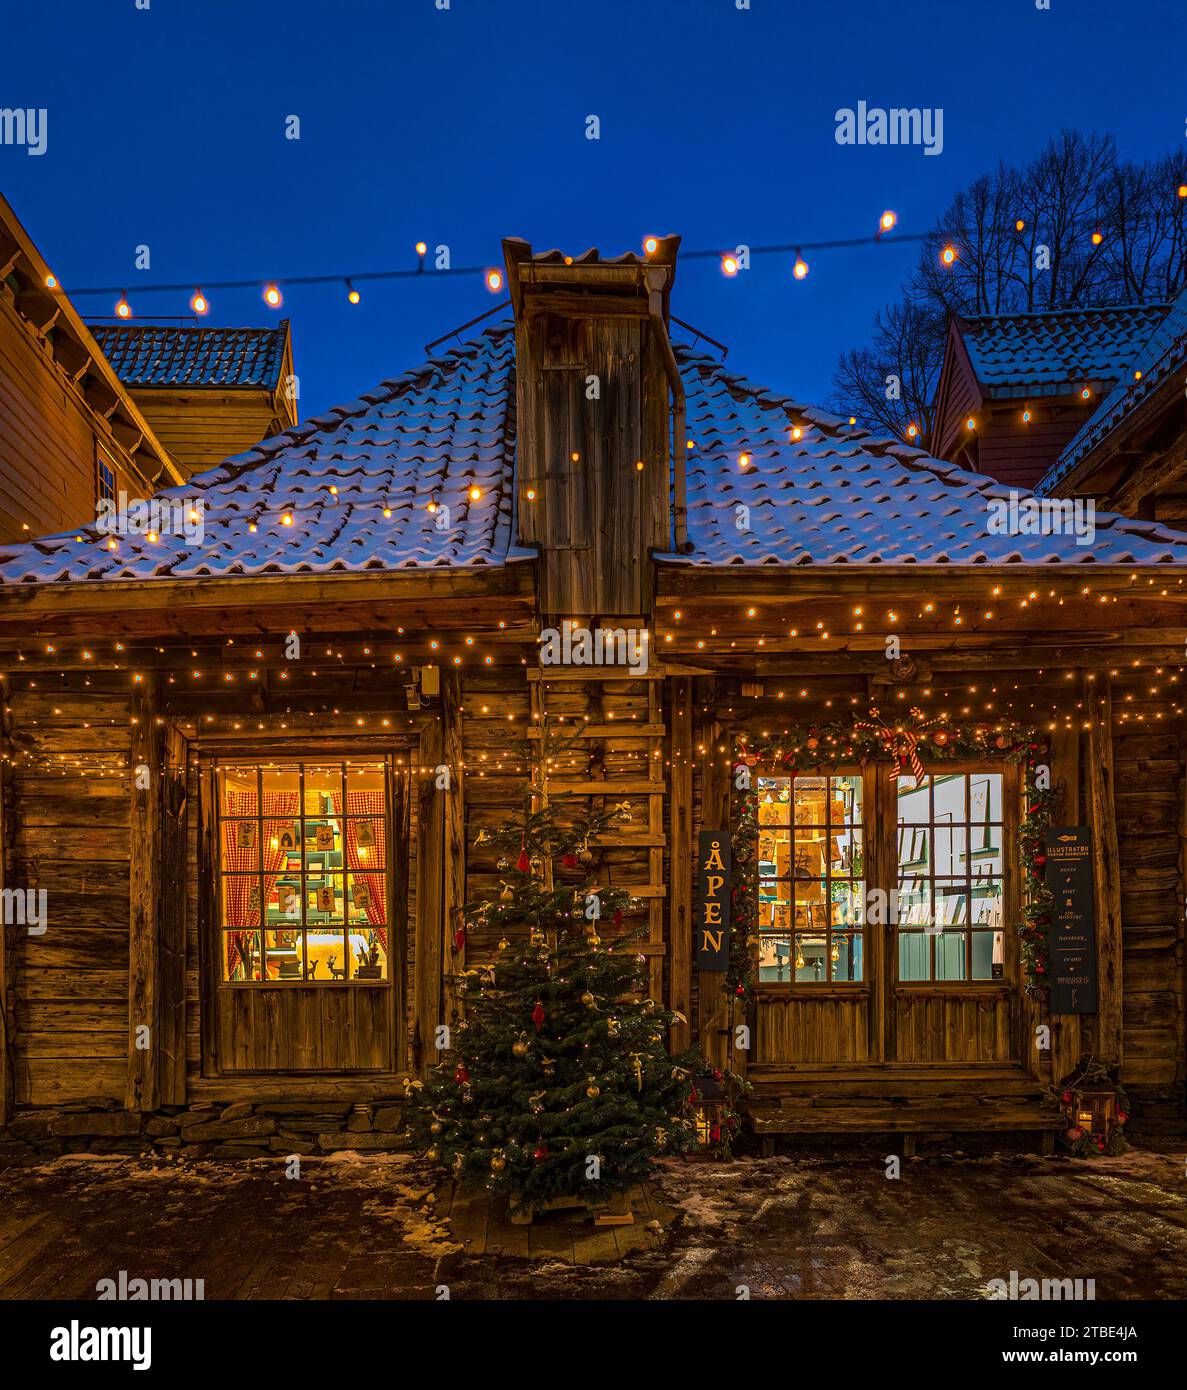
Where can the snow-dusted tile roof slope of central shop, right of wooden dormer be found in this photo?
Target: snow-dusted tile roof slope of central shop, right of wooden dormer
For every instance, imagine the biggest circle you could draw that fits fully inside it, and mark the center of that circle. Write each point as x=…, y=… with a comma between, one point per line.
x=843, y=496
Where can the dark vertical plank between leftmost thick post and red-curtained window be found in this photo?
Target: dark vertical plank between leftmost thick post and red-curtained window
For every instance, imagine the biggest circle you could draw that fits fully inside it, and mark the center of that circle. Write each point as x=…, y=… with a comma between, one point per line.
x=172, y=1020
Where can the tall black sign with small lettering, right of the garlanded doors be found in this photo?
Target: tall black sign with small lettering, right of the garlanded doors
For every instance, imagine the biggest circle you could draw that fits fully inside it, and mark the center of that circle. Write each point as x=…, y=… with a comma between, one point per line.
x=1072, y=938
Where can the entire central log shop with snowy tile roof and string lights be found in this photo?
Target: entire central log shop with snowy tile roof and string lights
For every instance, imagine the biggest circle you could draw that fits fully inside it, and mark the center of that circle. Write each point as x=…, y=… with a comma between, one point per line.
x=252, y=769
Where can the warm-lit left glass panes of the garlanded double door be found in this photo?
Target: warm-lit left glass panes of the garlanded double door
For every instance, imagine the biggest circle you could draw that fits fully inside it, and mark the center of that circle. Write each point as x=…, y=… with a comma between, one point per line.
x=811, y=879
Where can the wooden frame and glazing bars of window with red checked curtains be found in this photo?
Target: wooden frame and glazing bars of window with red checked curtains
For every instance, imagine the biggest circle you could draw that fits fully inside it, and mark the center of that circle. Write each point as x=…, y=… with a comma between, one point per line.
x=215, y=874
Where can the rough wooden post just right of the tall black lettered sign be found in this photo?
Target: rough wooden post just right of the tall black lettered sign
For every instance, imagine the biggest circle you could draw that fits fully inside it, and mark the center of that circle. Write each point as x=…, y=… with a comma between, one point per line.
x=1099, y=705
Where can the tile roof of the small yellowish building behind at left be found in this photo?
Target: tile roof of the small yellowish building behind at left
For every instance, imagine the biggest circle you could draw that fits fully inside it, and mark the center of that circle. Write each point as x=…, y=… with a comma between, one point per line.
x=145, y=355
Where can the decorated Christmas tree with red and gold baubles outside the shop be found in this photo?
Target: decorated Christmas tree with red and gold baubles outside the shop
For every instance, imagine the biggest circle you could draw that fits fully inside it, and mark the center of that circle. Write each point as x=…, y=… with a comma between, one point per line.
x=558, y=1082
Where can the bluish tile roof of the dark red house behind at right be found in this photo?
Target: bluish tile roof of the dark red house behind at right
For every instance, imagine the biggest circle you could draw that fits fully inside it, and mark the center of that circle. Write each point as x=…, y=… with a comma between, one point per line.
x=1057, y=351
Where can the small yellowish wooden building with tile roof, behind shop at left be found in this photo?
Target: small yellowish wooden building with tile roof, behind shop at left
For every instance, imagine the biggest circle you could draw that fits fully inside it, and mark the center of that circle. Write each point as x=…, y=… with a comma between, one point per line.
x=208, y=393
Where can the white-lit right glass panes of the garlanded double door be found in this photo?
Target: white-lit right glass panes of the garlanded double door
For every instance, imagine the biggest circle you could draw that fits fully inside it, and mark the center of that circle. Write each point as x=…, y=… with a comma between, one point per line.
x=950, y=878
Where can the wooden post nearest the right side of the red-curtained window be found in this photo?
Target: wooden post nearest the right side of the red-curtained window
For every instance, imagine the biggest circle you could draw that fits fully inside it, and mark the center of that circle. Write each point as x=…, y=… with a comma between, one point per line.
x=430, y=899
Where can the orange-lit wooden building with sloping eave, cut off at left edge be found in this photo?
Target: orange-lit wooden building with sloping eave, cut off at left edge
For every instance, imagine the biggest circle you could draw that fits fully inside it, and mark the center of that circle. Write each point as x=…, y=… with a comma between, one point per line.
x=72, y=434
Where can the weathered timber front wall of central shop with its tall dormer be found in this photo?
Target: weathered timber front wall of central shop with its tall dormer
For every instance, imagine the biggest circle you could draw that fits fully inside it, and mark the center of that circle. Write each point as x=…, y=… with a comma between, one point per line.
x=436, y=678
